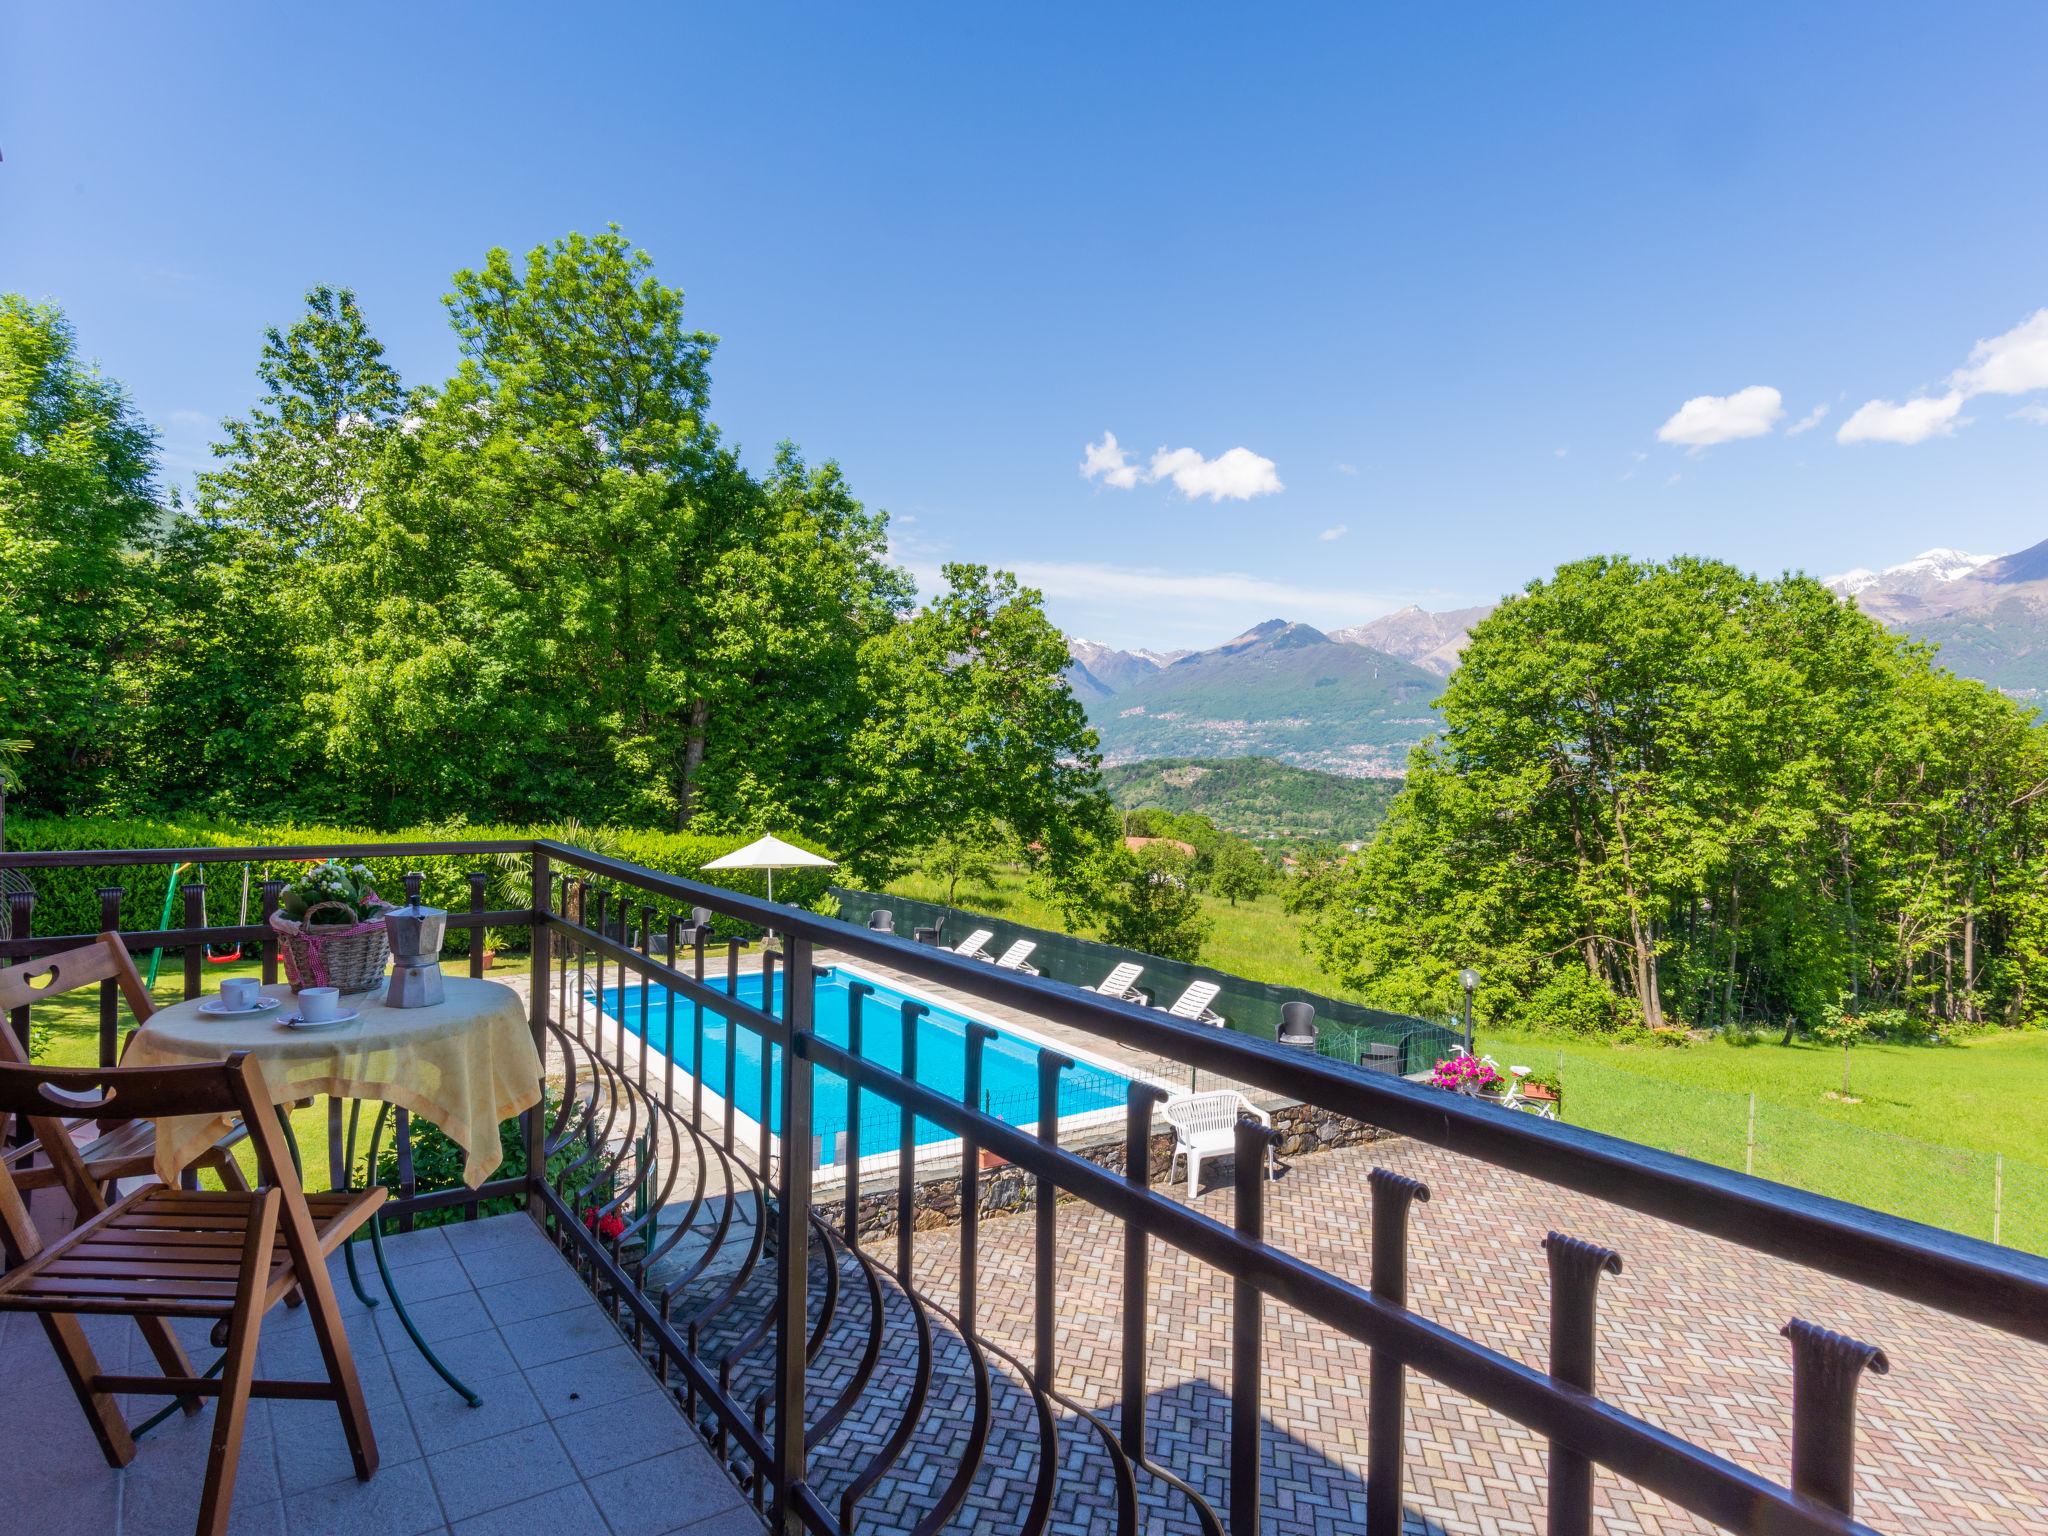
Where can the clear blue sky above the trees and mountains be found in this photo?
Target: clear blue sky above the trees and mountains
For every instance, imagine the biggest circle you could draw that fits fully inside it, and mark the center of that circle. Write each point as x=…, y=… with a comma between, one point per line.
x=1439, y=273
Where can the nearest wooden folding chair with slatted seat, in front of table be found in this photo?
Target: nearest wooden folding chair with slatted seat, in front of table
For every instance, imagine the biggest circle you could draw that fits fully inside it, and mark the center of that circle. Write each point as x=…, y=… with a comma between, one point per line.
x=159, y=1254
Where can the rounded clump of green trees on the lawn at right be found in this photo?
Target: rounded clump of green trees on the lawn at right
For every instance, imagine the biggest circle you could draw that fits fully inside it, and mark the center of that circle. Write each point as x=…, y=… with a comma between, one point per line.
x=1682, y=796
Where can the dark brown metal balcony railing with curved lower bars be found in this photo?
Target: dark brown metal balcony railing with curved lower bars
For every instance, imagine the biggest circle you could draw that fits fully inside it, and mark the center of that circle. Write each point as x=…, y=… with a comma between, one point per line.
x=738, y=1261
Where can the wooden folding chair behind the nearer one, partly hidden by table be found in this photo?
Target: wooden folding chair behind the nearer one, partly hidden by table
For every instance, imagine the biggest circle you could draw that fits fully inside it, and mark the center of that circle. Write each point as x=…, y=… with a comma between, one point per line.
x=120, y=1152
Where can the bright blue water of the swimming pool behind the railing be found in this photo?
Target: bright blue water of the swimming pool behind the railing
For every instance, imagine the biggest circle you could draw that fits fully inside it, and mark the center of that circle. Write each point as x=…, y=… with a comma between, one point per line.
x=1009, y=1066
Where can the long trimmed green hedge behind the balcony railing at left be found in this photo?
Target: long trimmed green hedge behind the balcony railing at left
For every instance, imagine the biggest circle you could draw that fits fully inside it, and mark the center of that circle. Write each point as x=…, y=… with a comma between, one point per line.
x=69, y=900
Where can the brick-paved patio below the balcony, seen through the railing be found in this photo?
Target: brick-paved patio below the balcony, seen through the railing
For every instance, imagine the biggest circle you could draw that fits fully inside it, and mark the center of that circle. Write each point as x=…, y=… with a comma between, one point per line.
x=1951, y=1441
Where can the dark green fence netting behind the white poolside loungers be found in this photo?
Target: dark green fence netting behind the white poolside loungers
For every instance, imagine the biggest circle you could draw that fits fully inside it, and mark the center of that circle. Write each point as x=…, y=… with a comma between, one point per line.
x=1347, y=1033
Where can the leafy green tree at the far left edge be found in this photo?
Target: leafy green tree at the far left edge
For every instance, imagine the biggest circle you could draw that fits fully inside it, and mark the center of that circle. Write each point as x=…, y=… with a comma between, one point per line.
x=79, y=511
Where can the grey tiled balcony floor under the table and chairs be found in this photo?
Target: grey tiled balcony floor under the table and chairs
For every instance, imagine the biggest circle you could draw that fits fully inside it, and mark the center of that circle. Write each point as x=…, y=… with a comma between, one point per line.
x=574, y=1437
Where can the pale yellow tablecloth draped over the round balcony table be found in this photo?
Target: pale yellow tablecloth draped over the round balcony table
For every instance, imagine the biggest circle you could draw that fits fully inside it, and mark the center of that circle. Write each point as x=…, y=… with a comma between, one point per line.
x=466, y=1064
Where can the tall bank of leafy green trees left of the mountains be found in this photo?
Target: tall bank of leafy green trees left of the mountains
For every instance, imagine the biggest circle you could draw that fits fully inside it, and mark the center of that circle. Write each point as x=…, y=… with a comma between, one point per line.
x=542, y=589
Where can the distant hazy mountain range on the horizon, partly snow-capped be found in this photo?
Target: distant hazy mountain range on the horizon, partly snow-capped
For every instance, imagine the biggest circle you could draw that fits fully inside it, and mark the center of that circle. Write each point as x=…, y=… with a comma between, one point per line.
x=1357, y=699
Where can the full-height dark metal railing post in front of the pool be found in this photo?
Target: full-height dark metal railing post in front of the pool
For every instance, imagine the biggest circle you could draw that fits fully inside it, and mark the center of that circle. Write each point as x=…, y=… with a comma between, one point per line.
x=794, y=1238
